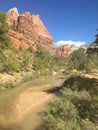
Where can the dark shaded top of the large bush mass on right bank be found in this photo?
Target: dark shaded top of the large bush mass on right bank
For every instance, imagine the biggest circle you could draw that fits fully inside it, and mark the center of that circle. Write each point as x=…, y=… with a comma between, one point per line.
x=80, y=83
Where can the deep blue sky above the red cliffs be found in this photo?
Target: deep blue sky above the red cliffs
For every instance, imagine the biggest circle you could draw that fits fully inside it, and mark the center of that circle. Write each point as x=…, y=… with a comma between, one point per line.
x=68, y=21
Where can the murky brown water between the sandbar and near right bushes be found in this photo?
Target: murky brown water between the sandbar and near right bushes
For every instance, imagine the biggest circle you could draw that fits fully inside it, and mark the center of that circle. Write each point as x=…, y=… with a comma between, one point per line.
x=31, y=120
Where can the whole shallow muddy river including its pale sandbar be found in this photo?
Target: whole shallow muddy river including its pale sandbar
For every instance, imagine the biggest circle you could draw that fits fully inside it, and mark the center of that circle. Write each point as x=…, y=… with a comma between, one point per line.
x=21, y=107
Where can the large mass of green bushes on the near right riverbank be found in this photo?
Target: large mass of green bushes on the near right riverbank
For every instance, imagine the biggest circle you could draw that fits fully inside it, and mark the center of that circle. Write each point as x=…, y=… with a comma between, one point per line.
x=76, y=108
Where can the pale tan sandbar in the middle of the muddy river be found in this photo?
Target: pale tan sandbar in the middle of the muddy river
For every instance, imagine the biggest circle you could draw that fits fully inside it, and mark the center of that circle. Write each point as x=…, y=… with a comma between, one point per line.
x=29, y=99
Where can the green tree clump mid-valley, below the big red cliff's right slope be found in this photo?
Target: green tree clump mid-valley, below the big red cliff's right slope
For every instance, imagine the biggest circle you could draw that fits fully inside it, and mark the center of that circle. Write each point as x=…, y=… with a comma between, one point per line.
x=43, y=60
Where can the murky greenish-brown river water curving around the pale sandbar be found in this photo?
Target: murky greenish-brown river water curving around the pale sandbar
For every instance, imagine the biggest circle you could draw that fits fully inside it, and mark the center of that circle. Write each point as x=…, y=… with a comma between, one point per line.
x=31, y=119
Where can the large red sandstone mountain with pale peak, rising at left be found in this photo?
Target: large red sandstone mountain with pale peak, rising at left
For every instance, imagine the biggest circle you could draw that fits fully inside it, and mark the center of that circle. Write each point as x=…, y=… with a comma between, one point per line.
x=30, y=31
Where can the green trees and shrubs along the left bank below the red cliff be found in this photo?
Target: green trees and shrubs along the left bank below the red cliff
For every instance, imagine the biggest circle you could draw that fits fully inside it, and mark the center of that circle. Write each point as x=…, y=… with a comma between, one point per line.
x=13, y=60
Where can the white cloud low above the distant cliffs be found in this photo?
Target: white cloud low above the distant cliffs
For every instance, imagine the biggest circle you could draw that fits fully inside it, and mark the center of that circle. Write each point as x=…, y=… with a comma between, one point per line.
x=76, y=43
